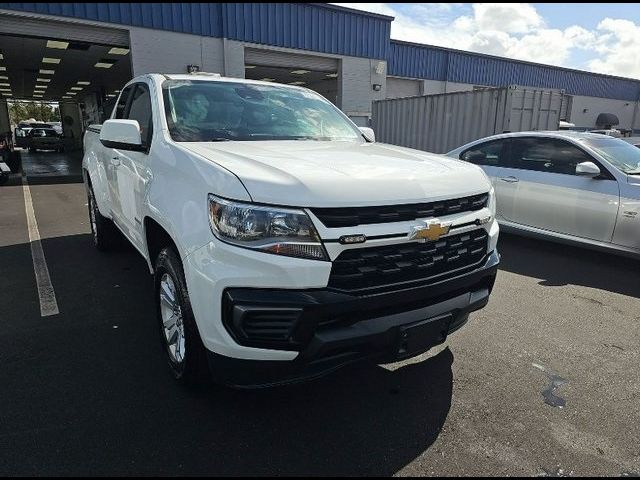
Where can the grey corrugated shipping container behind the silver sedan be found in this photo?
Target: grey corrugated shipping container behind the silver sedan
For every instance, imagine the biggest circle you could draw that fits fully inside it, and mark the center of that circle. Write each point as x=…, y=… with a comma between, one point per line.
x=439, y=123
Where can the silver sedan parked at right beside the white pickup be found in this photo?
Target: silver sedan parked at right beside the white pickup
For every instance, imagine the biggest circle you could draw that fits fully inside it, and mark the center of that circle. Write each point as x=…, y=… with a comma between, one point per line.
x=567, y=186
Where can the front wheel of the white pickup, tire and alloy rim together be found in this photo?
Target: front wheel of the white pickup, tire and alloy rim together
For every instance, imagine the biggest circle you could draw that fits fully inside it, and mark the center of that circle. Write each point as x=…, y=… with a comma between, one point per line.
x=178, y=331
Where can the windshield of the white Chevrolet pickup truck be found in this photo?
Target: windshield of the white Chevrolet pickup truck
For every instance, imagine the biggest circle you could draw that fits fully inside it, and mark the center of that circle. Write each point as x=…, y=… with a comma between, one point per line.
x=208, y=111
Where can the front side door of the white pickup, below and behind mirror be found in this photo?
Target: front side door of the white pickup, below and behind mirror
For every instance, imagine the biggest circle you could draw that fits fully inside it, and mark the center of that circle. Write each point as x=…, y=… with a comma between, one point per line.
x=131, y=168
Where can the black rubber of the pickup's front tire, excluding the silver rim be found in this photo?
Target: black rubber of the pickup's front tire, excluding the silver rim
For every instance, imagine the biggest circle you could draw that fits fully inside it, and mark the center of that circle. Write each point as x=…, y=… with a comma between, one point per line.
x=193, y=369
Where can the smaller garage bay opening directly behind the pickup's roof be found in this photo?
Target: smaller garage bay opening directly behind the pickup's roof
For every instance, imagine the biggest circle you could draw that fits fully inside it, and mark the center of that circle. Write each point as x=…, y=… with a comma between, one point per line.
x=317, y=73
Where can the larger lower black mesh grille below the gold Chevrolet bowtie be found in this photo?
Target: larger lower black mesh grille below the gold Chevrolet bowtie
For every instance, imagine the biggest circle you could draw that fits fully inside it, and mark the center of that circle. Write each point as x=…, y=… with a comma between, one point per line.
x=395, y=265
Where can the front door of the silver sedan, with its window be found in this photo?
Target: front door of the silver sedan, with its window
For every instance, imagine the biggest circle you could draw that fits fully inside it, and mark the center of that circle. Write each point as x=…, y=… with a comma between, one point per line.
x=549, y=195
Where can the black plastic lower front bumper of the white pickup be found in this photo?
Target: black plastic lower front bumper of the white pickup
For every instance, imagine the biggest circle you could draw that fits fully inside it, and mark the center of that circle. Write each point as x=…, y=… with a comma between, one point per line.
x=331, y=329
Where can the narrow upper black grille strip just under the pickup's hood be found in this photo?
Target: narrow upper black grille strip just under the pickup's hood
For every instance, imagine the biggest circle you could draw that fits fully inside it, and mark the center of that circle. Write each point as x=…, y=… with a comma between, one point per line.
x=354, y=216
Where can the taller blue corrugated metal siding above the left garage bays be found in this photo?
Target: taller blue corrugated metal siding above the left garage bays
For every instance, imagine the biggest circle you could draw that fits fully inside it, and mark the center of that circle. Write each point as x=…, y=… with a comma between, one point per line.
x=304, y=26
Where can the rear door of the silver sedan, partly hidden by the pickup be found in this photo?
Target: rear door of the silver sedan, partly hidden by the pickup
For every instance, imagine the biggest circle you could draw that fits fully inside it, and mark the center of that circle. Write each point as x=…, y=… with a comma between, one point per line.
x=493, y=158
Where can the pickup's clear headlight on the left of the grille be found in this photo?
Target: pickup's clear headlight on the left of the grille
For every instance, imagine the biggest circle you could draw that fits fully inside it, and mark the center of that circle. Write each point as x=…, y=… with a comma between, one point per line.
x=276, y=230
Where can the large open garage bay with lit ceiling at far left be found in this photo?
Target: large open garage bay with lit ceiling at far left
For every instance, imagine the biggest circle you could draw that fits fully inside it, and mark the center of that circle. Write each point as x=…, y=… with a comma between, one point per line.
x=77, y=68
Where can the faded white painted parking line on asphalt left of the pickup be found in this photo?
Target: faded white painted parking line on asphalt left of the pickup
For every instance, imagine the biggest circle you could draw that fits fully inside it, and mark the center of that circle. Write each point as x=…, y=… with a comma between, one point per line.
x=48, y=302
